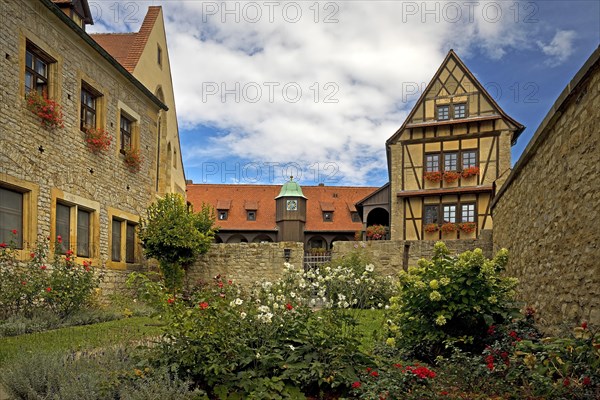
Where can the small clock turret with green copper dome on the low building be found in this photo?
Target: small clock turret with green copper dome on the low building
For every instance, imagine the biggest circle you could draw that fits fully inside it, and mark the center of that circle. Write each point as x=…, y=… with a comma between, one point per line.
x=290, y=212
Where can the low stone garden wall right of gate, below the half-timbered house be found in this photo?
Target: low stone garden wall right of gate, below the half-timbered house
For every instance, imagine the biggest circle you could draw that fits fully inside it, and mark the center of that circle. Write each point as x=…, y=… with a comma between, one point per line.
x=388, y=255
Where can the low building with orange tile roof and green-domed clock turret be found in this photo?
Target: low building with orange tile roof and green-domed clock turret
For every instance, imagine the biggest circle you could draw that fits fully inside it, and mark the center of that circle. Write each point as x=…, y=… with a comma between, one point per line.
x=314, y=215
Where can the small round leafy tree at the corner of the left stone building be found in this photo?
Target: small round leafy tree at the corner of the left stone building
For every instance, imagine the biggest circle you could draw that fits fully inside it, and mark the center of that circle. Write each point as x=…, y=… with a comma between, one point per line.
x=174, y=235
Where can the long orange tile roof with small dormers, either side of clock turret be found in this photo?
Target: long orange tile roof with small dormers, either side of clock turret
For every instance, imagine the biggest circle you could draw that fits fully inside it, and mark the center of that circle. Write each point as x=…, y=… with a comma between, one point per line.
x=339, y=199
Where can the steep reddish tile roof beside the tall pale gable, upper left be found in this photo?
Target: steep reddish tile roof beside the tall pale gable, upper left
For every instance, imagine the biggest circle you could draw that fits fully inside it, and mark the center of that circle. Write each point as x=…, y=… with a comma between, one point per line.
x=127, y=48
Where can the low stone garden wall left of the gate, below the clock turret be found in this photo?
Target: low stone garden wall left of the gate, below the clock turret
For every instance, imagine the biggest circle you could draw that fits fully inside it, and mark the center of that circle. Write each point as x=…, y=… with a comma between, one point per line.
x=245, y=263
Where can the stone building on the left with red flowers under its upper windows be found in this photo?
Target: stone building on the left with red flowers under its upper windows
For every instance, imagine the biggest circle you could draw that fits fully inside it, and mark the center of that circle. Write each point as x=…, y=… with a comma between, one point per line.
x=51, y=184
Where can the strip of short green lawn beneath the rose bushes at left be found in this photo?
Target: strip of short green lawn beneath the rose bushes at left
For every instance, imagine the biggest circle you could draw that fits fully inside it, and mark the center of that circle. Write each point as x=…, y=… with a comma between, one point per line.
x=78, y=337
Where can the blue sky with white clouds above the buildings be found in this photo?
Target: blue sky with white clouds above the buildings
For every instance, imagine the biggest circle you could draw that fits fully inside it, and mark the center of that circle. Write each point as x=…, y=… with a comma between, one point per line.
x=313, y=89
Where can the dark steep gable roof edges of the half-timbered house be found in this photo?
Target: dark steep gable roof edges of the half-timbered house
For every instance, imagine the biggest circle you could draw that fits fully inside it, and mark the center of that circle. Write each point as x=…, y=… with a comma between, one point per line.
x=454, y=57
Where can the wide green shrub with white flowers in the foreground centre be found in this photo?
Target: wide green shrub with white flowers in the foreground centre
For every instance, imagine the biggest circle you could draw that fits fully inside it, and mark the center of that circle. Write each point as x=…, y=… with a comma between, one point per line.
x=268, y=343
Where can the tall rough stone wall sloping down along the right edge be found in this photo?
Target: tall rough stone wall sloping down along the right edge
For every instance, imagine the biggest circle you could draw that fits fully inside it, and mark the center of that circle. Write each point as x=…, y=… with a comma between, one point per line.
x=547, y=213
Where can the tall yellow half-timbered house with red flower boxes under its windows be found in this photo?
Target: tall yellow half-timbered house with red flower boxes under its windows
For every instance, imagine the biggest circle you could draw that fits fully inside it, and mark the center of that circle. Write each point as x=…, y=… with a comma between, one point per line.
x=447, y=158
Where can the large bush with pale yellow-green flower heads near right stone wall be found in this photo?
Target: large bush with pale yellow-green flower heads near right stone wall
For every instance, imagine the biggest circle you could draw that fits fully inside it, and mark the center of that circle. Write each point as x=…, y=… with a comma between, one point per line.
x=450, y=300
